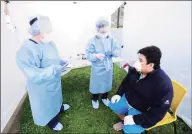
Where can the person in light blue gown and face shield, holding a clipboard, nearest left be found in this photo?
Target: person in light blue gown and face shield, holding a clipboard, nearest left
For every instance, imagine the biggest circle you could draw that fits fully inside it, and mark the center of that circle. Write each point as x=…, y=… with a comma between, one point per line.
x=39, y=60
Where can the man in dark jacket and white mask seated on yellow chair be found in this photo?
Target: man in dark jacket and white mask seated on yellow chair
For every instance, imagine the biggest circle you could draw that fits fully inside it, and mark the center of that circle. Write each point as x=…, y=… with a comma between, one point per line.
x=145, y=95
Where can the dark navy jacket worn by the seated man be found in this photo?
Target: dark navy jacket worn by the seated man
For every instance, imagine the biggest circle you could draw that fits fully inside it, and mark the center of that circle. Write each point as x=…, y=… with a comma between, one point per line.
x=151, y=95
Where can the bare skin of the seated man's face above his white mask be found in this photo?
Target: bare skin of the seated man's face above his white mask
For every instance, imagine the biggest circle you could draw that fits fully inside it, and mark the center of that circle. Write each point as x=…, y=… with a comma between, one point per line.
x=145, y=68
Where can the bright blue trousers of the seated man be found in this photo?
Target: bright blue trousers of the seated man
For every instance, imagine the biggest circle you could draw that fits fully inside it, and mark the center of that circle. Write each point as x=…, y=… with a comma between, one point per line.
x=123, y=107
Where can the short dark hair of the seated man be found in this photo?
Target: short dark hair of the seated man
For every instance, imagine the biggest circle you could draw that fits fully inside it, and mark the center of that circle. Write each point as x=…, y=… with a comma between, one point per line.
x=152, y=54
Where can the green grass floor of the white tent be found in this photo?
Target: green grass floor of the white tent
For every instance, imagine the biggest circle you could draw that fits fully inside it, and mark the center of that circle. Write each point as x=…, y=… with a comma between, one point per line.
x=81, y=117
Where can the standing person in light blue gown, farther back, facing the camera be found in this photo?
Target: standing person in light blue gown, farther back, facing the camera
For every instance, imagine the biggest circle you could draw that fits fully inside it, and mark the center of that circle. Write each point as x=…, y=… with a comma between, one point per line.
x=99, y=52
